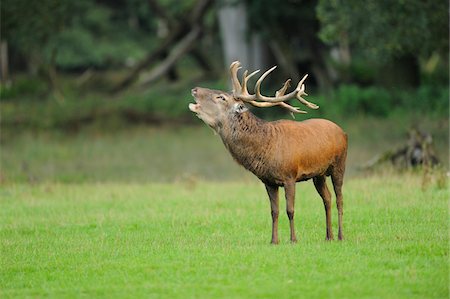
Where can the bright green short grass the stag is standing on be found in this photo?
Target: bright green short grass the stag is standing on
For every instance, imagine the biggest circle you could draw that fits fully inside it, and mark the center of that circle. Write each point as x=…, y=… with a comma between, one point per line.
x=211, y=240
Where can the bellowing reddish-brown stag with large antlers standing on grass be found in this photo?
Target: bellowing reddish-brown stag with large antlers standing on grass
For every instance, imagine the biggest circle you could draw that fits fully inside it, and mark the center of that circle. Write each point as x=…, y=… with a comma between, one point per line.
x=279, y=153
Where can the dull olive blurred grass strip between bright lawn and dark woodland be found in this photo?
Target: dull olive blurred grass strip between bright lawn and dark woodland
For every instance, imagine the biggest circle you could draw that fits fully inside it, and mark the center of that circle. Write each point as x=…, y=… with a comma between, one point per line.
x=172, y=154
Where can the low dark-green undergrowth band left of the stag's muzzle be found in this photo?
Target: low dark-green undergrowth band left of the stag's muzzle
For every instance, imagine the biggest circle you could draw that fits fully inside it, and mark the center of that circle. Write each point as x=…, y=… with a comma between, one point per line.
x=164, y=103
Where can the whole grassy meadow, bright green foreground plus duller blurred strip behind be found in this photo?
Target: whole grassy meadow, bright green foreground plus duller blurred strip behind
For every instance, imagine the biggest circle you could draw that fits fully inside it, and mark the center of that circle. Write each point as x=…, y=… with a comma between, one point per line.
x=164, y=212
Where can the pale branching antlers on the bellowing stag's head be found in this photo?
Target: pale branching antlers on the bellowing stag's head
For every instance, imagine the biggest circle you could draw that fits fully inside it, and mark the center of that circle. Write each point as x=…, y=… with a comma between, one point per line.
x=259, y=100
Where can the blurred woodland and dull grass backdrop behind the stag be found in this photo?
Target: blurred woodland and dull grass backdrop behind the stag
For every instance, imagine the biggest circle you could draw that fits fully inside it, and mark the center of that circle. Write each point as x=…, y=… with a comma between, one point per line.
x=97, y=90
